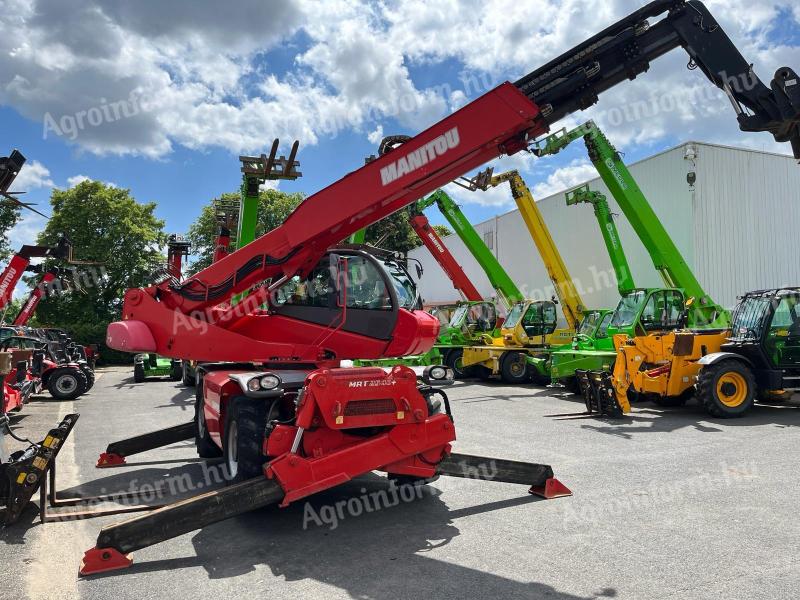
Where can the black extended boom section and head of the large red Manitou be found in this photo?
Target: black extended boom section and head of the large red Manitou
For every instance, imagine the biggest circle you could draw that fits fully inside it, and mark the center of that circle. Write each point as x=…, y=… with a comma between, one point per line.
x=574, y=80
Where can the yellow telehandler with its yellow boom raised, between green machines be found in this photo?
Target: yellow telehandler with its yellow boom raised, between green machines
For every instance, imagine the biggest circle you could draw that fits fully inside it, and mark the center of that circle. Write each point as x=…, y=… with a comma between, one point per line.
x=530, y=331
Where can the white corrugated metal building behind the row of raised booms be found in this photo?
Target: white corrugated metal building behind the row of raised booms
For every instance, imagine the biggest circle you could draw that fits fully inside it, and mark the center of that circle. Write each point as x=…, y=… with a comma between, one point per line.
x=737, y=226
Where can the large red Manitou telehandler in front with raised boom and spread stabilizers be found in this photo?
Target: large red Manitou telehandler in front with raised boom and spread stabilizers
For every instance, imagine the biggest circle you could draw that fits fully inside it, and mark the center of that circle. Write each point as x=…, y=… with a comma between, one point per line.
x=288, y=421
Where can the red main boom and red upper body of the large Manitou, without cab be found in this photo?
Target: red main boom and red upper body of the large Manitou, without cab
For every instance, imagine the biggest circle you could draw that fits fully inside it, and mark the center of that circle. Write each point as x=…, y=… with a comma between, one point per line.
x=181, y=321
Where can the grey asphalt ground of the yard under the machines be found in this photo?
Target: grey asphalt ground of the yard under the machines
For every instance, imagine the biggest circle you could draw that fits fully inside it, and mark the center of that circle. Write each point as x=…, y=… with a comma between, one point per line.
x=668, y=503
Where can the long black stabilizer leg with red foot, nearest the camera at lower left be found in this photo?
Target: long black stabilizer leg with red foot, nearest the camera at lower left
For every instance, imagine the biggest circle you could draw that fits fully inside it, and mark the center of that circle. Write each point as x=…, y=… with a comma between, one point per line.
x=116, y=542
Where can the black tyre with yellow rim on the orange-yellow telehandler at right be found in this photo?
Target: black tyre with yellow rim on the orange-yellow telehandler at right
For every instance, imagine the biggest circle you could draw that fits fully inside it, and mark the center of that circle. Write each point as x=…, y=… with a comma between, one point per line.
x=726, y=389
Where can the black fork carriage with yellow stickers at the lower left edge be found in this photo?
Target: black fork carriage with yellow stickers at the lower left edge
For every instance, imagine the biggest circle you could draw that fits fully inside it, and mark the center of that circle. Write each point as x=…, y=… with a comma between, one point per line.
x=26, y=470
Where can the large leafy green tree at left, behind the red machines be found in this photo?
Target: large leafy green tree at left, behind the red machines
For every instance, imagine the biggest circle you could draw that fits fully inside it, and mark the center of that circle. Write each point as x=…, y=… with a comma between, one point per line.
x=105, y=225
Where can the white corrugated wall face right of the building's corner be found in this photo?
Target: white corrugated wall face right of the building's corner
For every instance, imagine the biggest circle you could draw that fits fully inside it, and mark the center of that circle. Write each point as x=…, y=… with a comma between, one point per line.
x=747, y=215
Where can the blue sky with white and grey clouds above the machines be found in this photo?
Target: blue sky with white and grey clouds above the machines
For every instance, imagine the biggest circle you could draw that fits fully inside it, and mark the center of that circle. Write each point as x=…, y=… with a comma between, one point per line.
x=162, y=97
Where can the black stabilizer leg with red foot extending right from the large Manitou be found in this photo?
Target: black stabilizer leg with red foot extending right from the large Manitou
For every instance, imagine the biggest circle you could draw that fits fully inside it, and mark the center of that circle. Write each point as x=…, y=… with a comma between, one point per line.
x=539, y=477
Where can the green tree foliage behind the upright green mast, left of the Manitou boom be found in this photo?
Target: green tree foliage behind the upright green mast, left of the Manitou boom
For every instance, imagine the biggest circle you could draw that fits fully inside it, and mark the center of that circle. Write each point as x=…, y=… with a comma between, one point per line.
x=273, y=208
